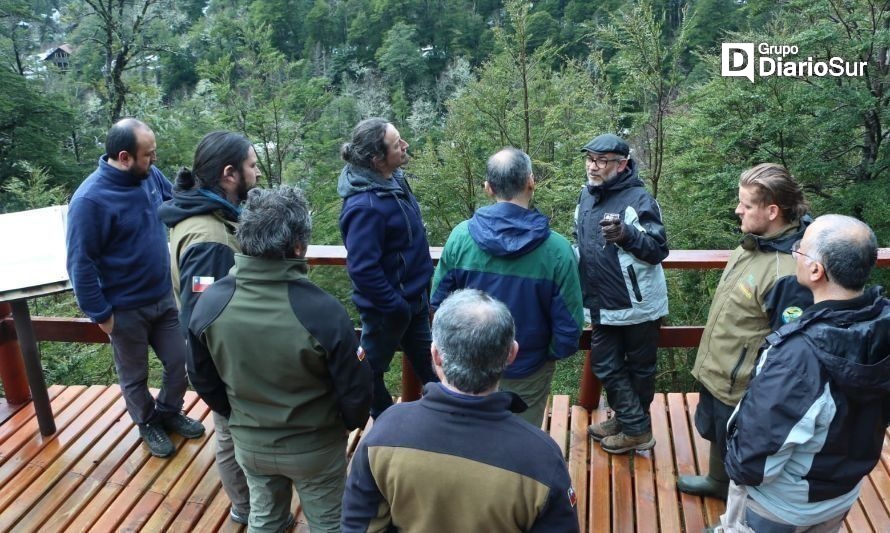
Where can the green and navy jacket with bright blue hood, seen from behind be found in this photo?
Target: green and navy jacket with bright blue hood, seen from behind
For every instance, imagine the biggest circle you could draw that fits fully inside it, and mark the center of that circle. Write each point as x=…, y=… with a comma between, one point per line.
x=511, y=253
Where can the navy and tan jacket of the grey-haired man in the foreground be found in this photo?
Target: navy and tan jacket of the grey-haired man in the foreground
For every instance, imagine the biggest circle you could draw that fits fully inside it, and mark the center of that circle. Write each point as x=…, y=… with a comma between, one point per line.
x=451, y=462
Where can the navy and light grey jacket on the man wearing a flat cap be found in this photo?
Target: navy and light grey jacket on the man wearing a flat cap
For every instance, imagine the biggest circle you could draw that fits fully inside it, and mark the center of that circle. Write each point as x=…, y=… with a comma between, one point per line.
x=623, y=284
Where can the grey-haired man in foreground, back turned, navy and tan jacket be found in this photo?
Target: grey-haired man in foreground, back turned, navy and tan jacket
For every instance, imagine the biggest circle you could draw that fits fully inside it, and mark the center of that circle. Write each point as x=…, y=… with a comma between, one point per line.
x=458, y=460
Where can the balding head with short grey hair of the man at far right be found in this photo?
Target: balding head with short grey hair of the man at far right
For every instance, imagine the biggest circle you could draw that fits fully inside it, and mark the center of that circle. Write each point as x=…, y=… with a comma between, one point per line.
x=847, y=248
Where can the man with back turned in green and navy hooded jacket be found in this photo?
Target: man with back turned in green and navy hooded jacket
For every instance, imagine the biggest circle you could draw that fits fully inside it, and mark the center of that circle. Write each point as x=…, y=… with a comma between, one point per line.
x=508, y=250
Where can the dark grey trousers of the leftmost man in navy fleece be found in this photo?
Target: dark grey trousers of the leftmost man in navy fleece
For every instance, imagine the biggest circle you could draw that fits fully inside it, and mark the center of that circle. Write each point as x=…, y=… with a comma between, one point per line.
x=155, y=325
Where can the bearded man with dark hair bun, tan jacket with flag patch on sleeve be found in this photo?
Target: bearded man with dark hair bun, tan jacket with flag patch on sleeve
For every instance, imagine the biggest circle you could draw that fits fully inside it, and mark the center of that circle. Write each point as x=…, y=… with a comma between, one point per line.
x=203, y=217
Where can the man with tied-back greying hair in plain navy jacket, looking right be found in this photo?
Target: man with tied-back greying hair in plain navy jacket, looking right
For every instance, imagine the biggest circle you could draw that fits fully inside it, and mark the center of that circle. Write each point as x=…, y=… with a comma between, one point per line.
x=388, y=257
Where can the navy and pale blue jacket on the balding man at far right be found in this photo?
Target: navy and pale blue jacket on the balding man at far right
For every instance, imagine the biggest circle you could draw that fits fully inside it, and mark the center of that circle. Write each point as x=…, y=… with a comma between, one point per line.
x=812, y=423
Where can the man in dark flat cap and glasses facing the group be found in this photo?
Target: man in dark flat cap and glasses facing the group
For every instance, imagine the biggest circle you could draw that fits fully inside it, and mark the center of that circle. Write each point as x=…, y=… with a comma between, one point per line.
x=621, y=243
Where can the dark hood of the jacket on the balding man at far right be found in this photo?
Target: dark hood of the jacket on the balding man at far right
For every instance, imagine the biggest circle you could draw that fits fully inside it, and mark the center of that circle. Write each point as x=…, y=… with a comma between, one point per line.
x=852, y=341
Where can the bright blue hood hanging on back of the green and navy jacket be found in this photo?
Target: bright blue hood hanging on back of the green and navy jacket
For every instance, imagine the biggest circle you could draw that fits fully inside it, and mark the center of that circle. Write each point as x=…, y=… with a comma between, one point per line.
x=504, y=229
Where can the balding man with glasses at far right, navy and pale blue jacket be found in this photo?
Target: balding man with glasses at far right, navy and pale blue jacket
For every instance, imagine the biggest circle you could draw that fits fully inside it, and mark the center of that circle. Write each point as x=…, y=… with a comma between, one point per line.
x=813, y=422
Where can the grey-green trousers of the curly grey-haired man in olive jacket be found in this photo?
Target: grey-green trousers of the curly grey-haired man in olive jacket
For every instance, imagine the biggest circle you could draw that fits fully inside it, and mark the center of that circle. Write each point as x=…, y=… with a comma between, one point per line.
x=320, y=479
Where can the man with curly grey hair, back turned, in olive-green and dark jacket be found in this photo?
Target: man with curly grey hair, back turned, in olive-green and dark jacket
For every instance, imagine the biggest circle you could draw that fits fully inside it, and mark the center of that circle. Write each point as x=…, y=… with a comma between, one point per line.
x=278, y=357
